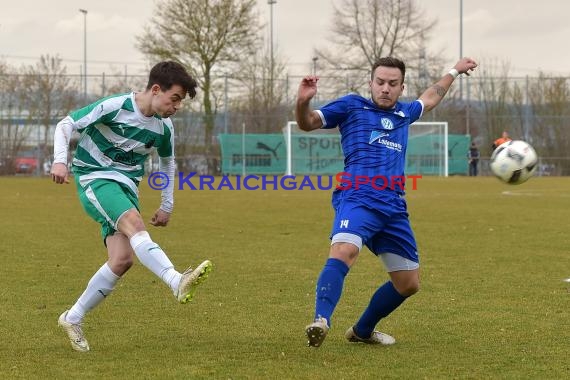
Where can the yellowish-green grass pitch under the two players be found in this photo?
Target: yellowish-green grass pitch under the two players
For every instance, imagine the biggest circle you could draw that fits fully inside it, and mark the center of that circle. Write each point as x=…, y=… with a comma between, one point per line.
x=492, y=303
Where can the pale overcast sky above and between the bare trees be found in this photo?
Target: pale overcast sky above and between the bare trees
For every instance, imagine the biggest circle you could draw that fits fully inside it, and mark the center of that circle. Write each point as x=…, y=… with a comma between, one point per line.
x=529, y=35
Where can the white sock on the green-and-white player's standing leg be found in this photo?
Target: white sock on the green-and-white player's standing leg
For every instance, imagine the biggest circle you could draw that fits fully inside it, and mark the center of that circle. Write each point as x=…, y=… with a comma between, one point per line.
x=100, y=286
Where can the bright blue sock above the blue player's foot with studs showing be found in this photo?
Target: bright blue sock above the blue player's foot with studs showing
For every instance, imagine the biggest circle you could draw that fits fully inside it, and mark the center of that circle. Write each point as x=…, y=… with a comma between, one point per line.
x=329, y=288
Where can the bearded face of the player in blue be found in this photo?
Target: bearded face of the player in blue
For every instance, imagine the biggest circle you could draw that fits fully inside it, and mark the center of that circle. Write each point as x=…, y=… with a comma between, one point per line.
x=386, y=86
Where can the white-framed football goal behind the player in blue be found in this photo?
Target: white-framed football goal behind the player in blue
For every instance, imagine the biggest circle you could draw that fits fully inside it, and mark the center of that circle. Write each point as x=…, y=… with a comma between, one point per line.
x=320, y=151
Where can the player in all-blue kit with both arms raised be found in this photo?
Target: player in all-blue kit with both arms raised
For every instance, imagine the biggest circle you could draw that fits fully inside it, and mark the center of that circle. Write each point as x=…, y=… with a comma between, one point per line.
x=374, y=137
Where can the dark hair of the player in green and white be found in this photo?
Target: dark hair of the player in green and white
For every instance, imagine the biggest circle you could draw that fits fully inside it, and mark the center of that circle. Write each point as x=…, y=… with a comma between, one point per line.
x=169, y=73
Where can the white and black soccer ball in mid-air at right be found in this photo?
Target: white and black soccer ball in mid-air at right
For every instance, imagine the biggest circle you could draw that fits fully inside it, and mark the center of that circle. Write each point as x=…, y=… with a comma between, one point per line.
x=514, y=162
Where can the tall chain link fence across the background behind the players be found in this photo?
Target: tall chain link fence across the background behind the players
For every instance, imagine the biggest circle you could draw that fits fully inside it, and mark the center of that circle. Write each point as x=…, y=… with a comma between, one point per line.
x=535, y=109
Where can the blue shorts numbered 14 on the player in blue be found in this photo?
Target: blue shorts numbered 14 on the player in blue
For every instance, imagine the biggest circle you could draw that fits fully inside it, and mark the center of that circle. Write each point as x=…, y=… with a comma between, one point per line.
x=382, y=222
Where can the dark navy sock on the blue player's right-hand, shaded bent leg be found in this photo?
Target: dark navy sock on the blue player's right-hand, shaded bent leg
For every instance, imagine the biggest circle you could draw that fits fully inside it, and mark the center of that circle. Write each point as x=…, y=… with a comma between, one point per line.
x=384, y=301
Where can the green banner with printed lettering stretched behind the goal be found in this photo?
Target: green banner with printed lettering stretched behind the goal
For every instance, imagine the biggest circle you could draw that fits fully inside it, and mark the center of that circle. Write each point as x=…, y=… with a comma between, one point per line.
x=322, y=154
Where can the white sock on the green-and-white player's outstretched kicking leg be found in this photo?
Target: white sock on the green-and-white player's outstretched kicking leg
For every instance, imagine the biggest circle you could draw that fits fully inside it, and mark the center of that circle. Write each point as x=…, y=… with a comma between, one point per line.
x=154, y=258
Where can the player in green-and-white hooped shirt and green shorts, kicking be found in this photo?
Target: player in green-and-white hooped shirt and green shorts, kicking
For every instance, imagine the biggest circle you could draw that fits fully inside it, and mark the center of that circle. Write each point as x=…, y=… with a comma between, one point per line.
x=117, y=135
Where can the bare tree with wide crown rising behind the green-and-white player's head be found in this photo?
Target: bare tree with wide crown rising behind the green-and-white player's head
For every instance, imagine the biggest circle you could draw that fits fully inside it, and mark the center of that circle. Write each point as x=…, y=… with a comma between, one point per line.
x=203, y=35
